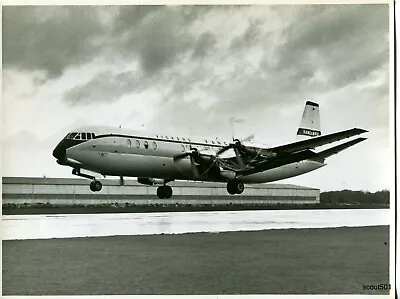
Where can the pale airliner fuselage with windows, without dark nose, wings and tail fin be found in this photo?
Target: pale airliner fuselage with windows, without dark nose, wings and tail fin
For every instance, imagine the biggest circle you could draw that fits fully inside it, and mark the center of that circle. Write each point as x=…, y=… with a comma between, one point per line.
x=135, y=156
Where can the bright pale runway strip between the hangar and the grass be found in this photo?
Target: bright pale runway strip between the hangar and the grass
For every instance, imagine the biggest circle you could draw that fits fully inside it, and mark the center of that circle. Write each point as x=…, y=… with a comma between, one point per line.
x=17, y=227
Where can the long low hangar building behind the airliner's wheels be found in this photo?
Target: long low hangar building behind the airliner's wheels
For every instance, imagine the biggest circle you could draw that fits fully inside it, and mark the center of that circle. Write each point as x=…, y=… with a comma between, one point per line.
x=18, y=190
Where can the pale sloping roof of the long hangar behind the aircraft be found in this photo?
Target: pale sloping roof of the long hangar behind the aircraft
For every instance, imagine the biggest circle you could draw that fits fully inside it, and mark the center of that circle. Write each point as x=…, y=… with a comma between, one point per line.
x=132, y=182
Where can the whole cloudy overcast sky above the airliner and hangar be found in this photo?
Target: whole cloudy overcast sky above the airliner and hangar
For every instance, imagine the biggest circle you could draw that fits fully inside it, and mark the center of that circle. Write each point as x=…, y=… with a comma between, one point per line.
x=187, y=70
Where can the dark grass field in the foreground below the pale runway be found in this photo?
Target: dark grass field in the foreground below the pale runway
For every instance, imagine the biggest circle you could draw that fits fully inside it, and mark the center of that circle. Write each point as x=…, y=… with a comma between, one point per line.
x=293, y=261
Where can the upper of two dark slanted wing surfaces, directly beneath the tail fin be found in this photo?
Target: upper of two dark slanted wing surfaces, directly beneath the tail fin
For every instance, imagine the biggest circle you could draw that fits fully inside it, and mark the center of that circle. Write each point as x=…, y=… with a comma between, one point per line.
x=317, y=141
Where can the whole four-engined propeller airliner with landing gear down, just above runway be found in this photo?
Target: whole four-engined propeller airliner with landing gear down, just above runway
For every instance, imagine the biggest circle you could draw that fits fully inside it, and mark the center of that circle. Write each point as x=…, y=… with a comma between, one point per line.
x=159, y=159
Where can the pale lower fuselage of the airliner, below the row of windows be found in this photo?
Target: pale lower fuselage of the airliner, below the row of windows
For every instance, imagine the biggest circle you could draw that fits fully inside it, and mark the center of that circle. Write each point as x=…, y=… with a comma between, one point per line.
x=137, y=165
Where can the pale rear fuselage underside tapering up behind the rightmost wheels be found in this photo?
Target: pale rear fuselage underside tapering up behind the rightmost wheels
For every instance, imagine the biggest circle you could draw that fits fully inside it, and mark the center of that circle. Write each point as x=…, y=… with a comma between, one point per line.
x=282, y=172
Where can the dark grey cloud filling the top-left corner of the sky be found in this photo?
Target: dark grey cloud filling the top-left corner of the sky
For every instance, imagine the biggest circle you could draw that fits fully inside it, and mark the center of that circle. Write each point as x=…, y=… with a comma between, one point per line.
x=48, y=38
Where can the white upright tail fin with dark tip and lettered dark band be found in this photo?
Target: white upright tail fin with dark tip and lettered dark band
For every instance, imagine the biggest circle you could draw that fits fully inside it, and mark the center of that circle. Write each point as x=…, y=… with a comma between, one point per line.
x=310, y=123
